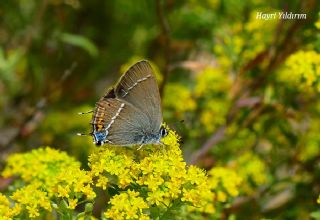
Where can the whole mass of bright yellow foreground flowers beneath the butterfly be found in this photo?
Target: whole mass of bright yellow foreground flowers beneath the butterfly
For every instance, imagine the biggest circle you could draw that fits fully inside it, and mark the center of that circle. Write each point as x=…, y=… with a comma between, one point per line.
x=154, y=178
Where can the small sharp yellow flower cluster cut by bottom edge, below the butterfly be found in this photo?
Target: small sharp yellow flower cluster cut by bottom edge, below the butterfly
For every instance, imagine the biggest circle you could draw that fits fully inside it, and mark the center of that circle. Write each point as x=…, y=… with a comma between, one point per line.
x=127, y=205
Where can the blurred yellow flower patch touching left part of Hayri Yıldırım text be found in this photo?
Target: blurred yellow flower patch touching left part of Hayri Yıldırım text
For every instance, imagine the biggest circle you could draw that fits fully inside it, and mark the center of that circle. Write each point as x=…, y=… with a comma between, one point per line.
x=235, y=49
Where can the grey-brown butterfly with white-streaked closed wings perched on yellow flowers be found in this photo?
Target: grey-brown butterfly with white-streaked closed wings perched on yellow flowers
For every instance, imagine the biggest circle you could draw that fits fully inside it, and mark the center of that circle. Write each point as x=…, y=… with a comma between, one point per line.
x=130, y=112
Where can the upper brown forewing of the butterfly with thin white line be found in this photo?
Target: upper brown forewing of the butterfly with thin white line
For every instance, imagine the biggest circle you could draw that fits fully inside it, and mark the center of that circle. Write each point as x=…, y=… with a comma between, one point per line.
x=138, y=86
